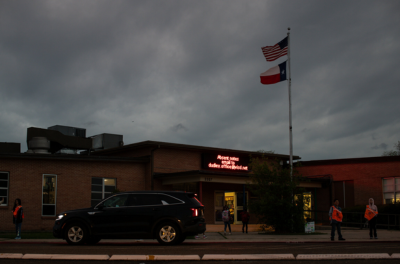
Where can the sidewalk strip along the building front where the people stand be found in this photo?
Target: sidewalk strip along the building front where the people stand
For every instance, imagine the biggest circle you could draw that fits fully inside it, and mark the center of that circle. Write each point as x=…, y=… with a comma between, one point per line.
x=351, y=236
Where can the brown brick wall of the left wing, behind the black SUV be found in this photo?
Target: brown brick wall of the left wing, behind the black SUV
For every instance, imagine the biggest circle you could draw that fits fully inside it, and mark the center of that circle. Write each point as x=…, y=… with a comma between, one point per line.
x=73, y=186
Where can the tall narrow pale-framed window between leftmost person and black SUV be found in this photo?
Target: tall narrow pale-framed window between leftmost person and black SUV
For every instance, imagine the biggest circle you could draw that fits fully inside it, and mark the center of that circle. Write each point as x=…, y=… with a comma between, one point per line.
x=49, y=195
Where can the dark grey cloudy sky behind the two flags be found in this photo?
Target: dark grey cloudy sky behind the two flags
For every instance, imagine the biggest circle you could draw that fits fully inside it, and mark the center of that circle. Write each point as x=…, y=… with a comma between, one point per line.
x=188, y=72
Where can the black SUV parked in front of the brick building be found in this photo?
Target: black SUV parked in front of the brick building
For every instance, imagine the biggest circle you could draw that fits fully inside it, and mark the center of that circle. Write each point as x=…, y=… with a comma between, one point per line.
x=167, y=216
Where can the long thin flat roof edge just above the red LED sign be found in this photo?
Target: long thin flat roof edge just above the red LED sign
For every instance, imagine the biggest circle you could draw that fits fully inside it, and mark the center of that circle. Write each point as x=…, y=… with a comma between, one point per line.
x=150, y=143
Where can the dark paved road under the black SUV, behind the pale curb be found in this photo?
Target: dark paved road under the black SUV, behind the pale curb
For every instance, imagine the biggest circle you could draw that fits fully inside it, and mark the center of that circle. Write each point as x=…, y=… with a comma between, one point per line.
x=204, y=248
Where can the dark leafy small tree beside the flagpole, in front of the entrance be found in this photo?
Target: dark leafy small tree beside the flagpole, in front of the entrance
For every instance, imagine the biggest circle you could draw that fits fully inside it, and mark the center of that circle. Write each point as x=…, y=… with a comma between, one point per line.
x=279, y=200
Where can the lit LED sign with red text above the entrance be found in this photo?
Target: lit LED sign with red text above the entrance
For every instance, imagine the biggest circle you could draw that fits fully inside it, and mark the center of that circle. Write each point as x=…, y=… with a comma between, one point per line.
x=225, y=162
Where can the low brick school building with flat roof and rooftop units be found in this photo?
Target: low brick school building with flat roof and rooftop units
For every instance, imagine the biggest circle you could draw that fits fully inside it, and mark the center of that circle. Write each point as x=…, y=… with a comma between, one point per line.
x=49, y=181
